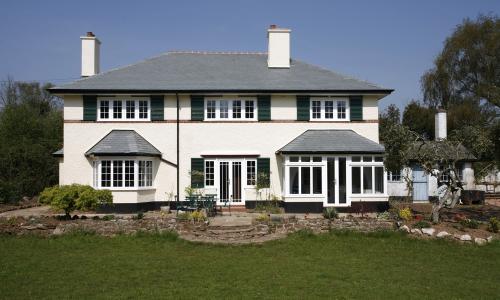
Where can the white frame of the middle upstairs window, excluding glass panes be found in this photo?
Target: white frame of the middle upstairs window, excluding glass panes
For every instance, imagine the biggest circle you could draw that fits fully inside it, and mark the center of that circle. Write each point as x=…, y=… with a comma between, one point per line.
x=230, y=109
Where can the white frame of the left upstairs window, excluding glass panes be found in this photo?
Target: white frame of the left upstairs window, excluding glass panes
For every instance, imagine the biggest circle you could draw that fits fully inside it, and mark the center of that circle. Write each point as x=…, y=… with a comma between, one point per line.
x=123, y=109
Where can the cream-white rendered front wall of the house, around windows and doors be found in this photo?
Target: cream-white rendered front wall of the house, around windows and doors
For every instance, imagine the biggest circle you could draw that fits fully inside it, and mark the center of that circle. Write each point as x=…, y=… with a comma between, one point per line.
x=196, y=138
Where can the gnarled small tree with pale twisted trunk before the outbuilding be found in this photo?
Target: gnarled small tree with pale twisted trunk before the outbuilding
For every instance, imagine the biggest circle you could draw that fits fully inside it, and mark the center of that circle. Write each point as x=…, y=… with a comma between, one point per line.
x=405, y=146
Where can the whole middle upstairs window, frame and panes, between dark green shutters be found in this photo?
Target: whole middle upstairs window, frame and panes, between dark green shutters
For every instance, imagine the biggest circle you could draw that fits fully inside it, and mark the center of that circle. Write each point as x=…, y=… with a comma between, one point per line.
x=230, y=109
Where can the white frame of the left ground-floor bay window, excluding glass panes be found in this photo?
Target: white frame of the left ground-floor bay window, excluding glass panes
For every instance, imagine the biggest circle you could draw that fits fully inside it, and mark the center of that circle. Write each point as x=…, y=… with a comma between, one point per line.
x=96, y=164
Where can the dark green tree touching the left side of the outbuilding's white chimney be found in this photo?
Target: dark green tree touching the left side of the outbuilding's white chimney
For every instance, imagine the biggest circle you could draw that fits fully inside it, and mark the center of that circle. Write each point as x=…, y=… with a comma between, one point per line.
x=420, y=119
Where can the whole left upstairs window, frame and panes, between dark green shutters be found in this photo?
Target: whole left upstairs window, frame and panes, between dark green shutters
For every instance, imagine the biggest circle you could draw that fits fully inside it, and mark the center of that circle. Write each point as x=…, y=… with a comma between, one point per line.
x=116, y=109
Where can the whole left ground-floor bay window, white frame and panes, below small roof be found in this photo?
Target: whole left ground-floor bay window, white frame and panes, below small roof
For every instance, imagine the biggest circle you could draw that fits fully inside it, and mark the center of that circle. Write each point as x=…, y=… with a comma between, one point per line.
x=123, y=173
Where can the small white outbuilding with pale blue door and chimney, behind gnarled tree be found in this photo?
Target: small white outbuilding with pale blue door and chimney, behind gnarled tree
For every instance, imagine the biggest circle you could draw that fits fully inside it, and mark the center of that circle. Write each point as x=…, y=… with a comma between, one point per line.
x=425, y=186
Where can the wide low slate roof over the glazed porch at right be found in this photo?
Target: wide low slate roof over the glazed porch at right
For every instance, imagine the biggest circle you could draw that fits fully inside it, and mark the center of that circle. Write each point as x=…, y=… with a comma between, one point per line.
x=331, y=141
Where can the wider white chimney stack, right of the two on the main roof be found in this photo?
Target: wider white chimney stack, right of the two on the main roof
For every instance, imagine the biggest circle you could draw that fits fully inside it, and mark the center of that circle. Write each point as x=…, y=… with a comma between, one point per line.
x=278, y=55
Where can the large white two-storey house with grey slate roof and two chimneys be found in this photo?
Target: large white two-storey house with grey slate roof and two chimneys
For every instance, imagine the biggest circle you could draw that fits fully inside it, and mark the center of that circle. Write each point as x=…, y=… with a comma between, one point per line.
x=142, y=130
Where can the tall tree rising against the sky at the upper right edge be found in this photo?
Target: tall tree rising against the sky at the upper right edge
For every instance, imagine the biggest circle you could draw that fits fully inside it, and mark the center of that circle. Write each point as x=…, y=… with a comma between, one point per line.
x=468, y=67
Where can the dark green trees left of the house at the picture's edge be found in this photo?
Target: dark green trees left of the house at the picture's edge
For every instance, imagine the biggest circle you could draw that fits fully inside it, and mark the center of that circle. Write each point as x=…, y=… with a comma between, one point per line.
x=30, y=131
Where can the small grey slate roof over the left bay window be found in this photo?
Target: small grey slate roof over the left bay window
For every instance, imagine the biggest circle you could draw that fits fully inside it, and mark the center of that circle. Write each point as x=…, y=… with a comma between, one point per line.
x=121, y=143
